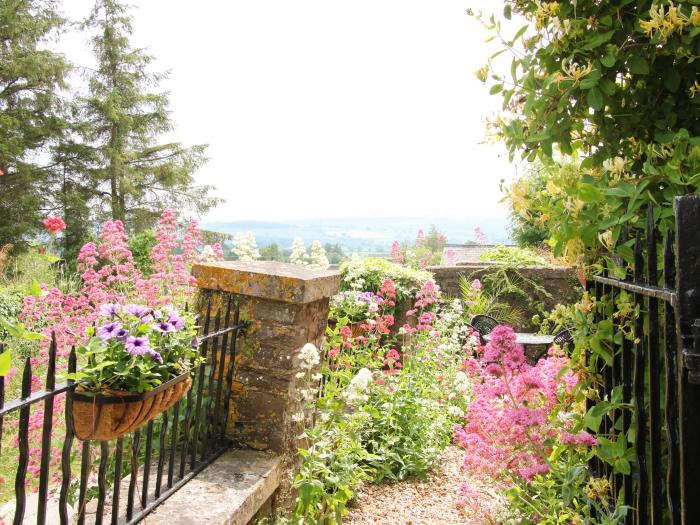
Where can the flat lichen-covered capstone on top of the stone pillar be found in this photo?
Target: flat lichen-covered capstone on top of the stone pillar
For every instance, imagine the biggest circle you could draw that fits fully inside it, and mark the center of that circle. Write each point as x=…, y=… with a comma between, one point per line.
x=288, y=283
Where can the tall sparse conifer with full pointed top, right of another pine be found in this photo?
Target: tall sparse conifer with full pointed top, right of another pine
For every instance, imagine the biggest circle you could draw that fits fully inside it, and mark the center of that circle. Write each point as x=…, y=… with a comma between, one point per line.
x=136, y=177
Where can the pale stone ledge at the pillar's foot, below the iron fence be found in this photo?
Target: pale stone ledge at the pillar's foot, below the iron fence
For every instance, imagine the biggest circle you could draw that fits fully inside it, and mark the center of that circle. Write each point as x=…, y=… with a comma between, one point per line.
x=230, y=491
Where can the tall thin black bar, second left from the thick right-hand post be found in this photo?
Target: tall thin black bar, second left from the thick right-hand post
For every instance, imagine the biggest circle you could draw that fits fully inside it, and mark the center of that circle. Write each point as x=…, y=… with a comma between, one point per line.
x=655, y=474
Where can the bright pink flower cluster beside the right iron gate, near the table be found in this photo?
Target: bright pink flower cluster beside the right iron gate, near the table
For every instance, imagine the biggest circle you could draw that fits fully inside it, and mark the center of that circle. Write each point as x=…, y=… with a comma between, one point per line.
x=511, y=420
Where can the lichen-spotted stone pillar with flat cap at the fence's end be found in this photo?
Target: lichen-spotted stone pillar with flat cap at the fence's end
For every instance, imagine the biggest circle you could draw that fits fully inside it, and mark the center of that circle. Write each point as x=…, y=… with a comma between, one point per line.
x=287, y=307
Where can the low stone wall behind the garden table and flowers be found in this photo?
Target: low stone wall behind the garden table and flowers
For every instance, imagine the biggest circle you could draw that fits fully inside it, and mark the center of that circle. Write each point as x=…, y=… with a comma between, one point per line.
x=560, y=283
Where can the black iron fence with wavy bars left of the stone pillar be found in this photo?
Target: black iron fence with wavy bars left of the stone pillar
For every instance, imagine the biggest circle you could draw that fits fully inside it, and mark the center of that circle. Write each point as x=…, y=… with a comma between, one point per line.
x=159, y=458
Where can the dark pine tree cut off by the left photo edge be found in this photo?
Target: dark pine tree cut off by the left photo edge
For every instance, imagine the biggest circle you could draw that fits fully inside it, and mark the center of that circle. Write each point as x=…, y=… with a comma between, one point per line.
x=30, y=78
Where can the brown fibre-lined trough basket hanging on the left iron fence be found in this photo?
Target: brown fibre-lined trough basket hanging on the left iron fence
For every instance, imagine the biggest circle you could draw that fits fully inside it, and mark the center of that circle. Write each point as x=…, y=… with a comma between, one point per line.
x=105, y=416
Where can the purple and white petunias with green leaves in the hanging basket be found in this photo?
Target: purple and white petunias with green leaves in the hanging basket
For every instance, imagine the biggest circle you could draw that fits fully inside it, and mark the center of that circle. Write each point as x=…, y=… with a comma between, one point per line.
x=135, y=348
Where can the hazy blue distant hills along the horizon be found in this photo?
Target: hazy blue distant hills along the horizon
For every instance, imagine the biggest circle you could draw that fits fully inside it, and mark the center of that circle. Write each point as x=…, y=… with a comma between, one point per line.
x=364, y=235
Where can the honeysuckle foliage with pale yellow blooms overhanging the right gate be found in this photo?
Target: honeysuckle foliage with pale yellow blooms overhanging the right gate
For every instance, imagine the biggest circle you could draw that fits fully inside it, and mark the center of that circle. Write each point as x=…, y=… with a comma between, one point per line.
x=612, y=85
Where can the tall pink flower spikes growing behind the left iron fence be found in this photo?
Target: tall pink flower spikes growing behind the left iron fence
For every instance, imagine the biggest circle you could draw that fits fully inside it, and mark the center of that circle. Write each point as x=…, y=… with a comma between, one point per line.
x=108, y=275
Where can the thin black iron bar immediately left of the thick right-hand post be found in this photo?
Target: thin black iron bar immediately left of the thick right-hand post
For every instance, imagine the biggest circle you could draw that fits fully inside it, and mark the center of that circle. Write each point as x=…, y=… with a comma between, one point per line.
x=671, y=408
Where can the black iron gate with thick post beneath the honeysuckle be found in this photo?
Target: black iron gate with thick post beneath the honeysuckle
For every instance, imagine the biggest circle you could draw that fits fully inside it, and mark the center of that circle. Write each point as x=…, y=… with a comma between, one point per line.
x=656, y=369
